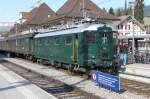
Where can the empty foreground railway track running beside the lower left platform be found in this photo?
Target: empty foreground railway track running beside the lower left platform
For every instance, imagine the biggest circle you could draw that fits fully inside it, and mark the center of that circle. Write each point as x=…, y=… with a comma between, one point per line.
x=54, y=87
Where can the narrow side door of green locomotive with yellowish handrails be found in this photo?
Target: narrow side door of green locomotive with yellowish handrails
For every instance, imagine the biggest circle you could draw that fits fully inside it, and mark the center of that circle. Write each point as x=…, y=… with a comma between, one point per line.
x=75, y=48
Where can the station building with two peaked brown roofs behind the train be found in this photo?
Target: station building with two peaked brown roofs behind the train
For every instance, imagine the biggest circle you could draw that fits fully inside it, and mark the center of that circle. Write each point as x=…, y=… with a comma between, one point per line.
x=42, y=18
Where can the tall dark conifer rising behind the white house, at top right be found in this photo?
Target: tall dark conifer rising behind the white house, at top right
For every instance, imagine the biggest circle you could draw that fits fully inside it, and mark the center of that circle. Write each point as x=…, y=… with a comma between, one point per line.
x=138, y=10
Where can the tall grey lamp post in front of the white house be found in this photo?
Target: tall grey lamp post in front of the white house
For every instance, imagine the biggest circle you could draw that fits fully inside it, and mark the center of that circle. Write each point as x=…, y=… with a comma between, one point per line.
x=132, y=4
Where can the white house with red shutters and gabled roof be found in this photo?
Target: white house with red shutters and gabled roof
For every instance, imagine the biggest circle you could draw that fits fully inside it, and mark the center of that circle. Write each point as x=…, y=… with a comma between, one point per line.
x=126, y=26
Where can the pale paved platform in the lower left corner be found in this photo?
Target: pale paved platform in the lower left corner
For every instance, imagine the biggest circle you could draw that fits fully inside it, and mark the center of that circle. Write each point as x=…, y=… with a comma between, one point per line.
x=13, y=86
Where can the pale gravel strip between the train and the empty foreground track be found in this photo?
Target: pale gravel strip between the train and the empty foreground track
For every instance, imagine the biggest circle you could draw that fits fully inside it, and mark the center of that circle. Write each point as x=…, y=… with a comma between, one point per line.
x=75, y=81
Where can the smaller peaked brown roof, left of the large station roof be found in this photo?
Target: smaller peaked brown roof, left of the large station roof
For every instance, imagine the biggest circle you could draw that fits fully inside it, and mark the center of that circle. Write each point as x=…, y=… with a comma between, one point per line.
x=39, y=14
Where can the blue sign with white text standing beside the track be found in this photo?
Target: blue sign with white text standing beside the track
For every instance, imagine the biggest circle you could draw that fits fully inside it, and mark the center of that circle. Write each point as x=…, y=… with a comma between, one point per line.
x=106, y=80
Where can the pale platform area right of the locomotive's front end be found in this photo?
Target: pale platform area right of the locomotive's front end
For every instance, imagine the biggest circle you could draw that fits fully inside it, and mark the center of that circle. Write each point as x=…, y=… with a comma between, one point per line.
x=138, y=72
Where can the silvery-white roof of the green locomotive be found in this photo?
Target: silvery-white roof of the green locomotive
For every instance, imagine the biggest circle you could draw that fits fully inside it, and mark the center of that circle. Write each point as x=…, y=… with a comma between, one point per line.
x=79, y=29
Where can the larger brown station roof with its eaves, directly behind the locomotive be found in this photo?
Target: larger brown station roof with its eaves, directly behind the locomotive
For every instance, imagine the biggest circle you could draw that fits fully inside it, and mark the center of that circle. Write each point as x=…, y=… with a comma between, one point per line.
x=76, y=10
